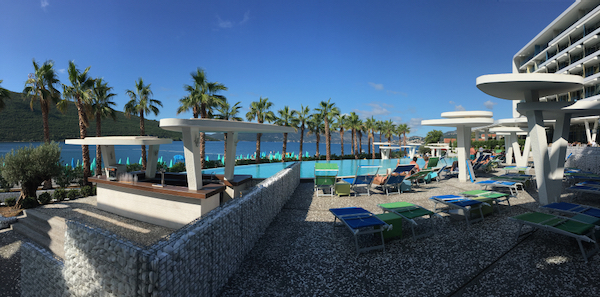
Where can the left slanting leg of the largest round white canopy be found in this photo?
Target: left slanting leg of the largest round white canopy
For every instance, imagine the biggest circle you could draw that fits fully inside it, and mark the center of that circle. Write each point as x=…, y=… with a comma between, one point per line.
x=539, y=144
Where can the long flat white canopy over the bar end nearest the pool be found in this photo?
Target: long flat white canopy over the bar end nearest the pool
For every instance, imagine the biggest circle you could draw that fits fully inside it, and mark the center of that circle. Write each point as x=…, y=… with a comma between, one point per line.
x=191, y=128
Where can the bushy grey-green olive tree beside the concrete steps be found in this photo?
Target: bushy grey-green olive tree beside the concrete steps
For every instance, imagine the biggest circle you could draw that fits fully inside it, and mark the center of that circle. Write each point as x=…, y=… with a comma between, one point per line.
x=30, y=166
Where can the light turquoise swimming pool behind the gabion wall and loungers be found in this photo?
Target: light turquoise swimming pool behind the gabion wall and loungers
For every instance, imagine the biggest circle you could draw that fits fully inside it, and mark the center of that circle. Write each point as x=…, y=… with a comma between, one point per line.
x=347, y=167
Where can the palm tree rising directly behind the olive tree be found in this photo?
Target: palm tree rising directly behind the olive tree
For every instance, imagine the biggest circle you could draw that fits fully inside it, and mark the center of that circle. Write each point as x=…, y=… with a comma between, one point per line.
x=41, y=86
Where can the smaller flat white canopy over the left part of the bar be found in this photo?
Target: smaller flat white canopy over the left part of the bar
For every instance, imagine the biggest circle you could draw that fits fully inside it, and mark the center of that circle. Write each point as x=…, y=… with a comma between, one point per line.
x=107, y=147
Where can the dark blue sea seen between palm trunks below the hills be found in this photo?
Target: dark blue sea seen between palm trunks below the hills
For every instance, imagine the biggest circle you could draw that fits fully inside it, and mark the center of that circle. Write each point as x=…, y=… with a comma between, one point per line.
x=127, y=154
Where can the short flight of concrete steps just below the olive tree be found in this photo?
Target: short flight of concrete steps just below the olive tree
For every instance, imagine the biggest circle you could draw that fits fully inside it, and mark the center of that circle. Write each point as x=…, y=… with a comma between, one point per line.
x=49, y=232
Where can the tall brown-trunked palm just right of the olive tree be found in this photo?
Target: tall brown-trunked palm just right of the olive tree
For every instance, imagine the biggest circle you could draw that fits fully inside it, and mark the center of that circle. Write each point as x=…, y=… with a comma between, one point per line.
x=80, y=92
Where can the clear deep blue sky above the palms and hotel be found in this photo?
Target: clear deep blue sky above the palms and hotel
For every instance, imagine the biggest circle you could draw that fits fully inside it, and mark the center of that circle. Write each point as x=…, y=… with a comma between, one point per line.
x=399, y=60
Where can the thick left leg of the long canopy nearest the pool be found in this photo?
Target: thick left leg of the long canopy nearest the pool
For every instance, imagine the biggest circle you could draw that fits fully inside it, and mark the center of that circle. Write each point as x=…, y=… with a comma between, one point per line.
x=191, y=152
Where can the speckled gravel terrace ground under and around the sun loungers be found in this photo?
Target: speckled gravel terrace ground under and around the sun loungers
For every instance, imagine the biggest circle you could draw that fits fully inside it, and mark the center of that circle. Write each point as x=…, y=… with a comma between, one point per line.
x=301, y=254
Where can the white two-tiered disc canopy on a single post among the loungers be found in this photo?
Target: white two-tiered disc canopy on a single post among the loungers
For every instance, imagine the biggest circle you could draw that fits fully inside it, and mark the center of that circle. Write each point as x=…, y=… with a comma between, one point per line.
x=463, y=121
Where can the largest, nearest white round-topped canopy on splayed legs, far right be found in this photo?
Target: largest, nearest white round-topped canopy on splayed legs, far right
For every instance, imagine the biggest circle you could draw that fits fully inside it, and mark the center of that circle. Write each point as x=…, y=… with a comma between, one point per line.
x=529, y=88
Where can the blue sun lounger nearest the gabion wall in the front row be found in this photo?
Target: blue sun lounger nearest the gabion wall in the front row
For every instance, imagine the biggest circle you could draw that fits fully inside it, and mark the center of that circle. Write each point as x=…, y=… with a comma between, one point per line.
x=360, y=221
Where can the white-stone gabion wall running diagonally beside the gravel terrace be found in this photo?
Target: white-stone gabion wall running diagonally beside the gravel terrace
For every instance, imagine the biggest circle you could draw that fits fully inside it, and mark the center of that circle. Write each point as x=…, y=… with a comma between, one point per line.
x=196, y=260
